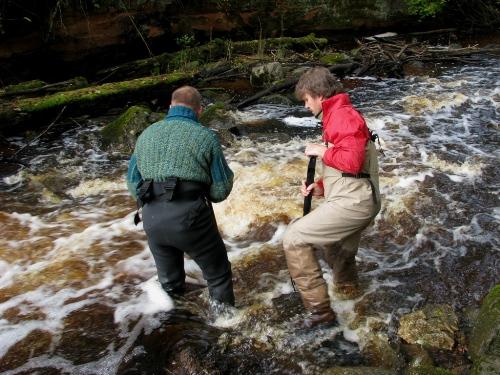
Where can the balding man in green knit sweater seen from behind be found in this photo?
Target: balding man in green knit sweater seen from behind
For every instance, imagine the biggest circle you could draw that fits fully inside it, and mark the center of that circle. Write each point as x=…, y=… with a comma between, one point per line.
x=177, y=170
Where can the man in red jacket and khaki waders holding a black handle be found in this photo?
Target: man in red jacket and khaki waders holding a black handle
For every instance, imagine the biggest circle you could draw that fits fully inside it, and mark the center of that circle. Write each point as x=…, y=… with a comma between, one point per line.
x=349, y=184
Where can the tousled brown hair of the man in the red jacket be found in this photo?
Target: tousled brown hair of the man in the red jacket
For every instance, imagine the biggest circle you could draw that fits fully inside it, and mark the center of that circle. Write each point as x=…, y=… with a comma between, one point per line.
x=316, y=82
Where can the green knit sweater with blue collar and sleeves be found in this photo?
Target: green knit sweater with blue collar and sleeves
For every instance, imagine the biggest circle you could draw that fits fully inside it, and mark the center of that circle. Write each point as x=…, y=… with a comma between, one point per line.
x=179, y=146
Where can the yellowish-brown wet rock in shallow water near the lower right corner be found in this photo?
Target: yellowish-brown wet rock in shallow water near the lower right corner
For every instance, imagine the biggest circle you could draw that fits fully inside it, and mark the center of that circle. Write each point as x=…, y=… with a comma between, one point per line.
x=433, y=326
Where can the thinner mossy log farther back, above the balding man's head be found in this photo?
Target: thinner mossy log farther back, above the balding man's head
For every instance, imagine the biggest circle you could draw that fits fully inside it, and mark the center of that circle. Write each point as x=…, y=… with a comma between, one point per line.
x=216, y=49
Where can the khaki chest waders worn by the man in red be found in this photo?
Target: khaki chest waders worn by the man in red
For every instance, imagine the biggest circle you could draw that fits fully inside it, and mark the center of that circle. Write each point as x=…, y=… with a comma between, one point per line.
x=334, y=227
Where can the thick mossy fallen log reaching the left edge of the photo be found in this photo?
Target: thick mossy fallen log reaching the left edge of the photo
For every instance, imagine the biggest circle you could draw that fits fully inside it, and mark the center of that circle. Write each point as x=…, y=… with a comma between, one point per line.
x=93, y=100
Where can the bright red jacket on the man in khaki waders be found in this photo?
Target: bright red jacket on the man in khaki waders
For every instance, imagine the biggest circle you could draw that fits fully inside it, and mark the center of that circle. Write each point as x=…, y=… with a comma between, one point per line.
x=346, y=129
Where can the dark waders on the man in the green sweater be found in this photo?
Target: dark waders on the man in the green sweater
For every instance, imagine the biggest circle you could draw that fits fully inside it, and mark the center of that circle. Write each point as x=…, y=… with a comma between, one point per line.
x=177, y=220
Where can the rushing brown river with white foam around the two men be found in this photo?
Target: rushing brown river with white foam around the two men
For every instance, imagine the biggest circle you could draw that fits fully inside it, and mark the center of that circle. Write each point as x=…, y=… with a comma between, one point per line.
x=78, y=292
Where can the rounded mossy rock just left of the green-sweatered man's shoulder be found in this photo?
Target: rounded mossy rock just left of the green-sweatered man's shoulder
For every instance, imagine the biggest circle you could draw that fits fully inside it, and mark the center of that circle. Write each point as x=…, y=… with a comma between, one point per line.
x=121, y=134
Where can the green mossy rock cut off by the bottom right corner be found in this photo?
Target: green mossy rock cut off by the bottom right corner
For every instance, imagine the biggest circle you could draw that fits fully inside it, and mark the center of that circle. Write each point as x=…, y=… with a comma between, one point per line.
x=484, y=346
